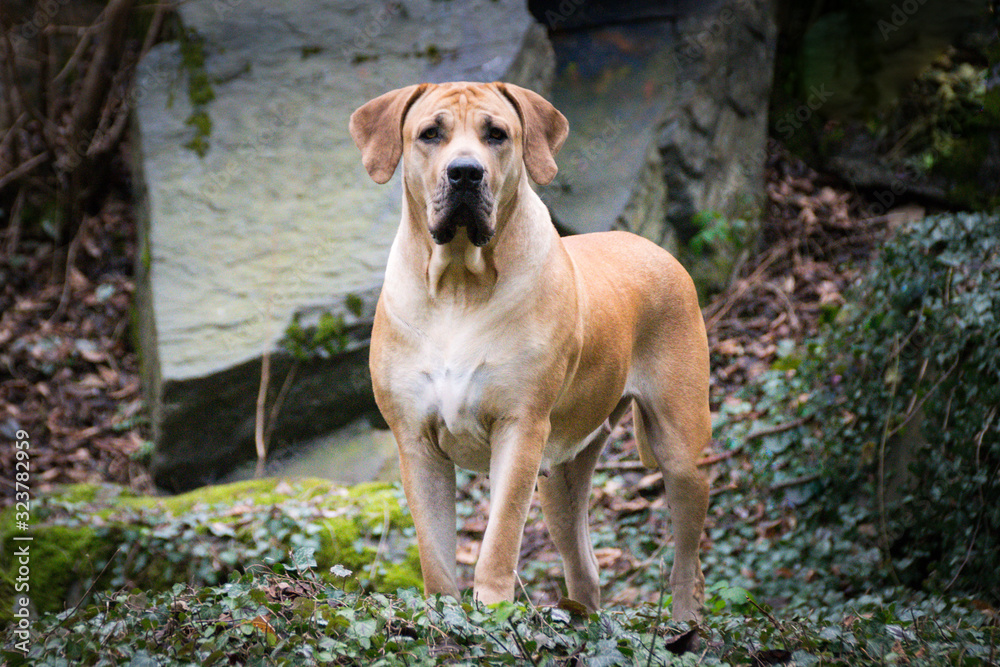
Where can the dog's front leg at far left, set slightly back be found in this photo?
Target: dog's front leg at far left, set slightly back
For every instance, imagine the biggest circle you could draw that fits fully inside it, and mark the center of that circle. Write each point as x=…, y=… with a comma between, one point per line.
x=429, y=483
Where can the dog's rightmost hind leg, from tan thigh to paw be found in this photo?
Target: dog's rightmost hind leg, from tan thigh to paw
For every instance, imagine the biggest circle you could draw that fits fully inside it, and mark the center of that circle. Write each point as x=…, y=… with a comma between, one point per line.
x=673, y=427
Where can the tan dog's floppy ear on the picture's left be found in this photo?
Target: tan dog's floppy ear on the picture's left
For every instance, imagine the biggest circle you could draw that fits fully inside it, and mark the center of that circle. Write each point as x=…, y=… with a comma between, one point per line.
x=377, y=129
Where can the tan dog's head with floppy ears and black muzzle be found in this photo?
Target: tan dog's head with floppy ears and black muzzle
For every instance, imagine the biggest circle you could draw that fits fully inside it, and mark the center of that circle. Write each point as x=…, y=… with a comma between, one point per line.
x=465, y=147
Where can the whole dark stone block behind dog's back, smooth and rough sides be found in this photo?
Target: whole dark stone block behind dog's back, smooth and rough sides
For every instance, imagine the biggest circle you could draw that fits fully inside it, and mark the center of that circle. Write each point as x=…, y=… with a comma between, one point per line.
x=668, y=117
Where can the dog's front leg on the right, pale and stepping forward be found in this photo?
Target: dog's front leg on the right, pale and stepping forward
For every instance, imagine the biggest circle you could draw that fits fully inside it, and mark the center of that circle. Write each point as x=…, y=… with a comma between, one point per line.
x=516, y=453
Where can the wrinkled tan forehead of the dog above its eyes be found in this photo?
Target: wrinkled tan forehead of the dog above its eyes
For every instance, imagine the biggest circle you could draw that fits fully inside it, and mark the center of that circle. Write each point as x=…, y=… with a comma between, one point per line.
x=460, y=100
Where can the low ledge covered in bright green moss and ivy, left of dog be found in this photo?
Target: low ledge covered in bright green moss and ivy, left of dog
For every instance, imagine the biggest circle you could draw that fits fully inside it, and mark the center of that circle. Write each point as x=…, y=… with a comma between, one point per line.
x=203, y=536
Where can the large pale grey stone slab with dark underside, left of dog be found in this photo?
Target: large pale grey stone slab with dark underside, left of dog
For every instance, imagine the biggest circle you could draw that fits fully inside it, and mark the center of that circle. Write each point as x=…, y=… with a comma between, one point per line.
x=258, y=213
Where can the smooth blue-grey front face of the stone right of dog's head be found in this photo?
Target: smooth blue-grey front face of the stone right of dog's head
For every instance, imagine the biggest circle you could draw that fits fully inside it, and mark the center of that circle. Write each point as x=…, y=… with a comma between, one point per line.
x=615, y=84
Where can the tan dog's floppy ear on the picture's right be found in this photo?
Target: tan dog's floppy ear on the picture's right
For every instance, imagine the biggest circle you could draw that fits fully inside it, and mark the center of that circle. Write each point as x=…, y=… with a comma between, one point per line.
x=545, y=130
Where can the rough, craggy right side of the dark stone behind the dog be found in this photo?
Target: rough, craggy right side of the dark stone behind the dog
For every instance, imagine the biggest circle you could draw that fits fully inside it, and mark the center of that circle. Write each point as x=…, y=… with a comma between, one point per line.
x=713, y=144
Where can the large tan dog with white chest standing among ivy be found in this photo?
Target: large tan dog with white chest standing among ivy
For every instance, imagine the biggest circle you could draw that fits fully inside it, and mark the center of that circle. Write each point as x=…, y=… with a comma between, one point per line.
x=502, y=348
